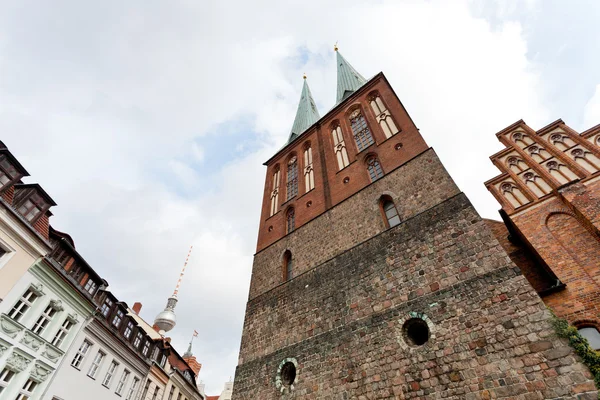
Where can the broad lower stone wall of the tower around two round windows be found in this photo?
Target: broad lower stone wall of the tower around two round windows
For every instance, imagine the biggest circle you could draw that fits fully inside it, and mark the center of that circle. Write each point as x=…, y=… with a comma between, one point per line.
x=342, y=322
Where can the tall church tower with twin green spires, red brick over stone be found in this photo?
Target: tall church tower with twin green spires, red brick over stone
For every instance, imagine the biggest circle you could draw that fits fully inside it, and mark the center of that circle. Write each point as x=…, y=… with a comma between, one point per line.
x=375, y=277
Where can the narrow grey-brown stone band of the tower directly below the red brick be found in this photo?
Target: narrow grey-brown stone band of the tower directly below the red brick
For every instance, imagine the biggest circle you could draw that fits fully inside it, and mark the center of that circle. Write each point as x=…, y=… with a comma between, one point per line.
x=415, y=186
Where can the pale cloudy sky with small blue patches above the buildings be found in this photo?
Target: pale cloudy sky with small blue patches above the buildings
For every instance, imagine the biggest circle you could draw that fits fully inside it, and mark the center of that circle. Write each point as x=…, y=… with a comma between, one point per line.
x=148, y=121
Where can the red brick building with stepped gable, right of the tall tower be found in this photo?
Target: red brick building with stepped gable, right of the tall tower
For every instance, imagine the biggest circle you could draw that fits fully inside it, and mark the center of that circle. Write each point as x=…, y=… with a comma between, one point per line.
x=549, y=189
